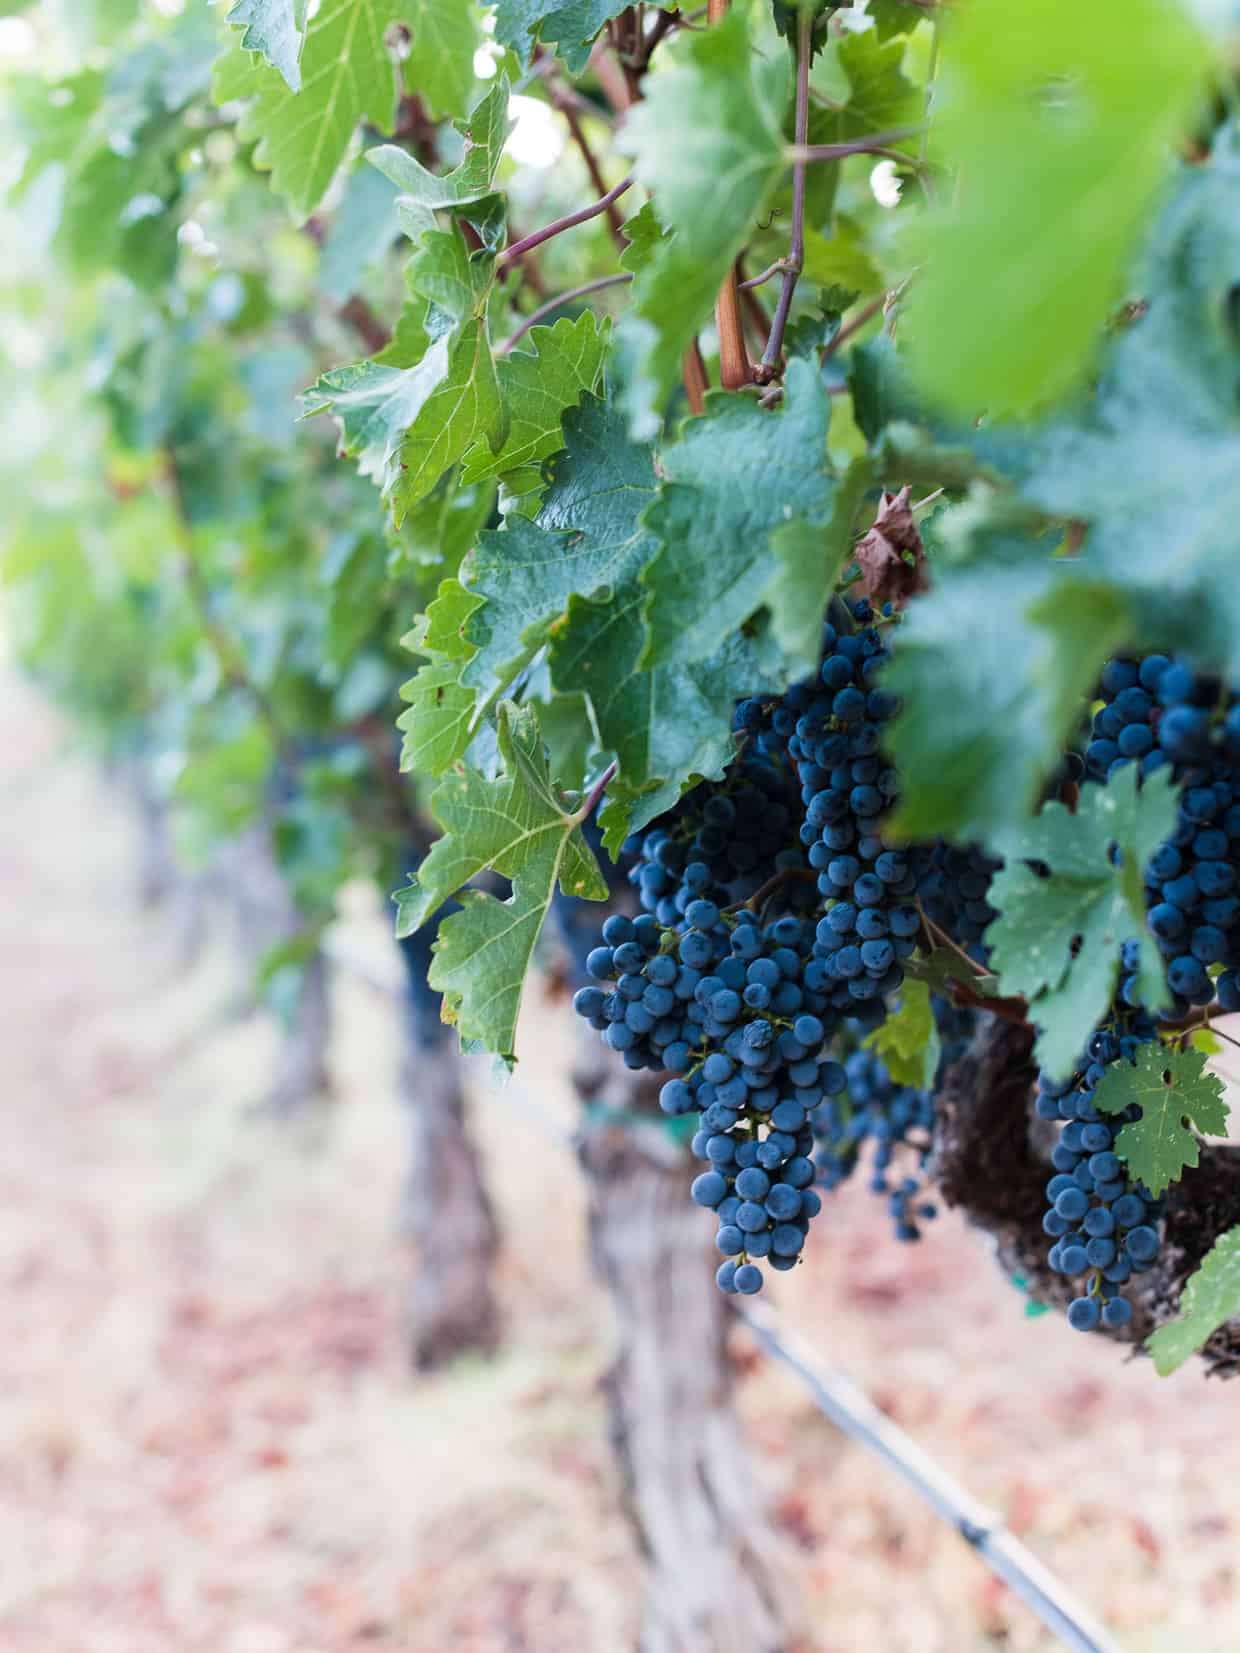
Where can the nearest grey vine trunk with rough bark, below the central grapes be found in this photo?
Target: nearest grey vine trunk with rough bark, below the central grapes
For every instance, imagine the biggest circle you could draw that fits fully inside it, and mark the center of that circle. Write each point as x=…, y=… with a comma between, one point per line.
x=715, y=1574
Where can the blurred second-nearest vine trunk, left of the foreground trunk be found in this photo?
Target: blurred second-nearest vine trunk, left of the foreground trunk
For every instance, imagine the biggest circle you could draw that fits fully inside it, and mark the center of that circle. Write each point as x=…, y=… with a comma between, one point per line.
x=447, y=1212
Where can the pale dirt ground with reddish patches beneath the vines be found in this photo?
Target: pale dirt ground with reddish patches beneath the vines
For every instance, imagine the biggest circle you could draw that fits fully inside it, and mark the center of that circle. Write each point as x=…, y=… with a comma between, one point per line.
x=211, y=1442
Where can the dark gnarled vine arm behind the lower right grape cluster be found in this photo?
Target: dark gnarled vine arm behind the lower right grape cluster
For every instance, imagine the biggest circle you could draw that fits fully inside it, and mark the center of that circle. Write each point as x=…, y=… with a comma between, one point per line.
x=991, y=1160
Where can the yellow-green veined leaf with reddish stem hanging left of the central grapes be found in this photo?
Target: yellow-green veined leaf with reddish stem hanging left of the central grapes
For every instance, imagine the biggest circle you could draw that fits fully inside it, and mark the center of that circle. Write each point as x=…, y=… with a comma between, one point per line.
x=522, y=827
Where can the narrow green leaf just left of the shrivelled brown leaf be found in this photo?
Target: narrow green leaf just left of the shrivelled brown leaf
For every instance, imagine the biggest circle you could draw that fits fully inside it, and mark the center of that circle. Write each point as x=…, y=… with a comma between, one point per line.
x=809, y=563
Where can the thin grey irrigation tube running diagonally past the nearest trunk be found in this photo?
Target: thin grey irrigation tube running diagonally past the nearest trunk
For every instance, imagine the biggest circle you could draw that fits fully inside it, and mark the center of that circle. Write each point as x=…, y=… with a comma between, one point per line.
x=857, y=1417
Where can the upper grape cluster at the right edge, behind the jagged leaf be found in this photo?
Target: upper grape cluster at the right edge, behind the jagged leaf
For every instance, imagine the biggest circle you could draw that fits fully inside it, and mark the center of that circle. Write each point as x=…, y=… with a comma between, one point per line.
x=1161, y=713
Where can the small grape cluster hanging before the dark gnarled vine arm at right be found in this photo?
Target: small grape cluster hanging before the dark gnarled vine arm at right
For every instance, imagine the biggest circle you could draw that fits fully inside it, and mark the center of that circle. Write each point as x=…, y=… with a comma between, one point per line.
x=1104, y=1227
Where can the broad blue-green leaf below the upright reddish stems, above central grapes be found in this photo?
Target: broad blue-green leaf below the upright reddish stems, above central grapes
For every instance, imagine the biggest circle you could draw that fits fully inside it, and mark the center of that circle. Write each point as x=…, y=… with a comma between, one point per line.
x=733, y=479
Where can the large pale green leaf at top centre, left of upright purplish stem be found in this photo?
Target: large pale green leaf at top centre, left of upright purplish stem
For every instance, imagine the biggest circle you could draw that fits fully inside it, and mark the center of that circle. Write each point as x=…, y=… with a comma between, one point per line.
x=708, y=131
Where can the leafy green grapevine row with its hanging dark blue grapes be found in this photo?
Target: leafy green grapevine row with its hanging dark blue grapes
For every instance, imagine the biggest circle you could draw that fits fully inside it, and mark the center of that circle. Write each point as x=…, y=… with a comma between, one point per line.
x=742, y=522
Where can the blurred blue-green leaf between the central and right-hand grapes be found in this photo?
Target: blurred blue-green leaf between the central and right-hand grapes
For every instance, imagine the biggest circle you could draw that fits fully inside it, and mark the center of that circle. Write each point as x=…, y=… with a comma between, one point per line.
x=991, y=667
